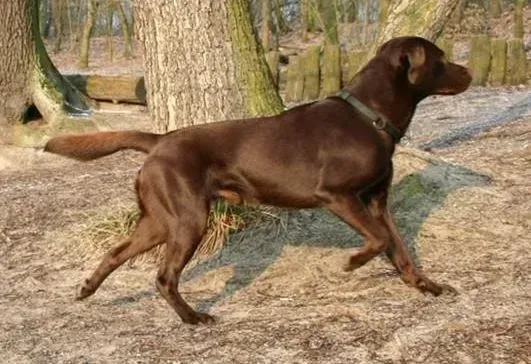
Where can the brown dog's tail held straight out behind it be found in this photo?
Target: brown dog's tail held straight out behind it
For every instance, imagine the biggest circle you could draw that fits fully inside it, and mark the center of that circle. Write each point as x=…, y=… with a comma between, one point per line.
x=90, y=146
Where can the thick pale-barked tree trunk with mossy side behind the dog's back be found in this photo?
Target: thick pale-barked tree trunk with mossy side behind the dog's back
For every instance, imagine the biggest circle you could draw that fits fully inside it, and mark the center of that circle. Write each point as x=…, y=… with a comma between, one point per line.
x=203, y=64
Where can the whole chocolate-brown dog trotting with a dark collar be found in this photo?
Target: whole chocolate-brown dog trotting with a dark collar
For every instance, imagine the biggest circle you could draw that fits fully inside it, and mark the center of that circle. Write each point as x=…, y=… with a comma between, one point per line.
x=334, y=153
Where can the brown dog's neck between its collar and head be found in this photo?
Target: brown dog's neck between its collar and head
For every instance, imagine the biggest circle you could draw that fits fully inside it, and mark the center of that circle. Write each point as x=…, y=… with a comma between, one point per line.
x=384, y=93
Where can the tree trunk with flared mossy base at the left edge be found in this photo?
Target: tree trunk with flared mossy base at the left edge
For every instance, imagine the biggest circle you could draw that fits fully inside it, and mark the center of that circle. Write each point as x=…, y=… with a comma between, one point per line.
x=29, y=81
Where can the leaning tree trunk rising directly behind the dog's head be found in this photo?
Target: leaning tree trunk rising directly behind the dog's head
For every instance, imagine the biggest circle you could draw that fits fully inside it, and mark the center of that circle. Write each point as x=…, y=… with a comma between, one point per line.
x=425, y=18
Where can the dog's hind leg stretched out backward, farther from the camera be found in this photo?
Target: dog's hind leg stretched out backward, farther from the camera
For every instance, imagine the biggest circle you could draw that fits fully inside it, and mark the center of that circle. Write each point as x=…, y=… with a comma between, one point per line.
x=146, y=236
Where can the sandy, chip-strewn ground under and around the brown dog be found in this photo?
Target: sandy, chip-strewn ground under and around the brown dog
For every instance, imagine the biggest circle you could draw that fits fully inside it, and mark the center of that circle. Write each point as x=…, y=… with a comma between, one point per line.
x=280, y=296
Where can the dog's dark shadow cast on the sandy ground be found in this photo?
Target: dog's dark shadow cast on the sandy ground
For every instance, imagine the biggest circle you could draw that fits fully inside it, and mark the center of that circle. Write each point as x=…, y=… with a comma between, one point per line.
x=413, y=198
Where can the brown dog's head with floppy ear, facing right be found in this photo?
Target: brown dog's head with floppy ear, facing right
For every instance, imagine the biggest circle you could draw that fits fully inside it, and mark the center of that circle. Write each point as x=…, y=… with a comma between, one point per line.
x=423, y=66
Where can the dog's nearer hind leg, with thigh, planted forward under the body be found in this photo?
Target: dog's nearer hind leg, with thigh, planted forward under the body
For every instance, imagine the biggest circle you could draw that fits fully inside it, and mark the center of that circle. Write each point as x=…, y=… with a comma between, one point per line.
x=174, y=191
